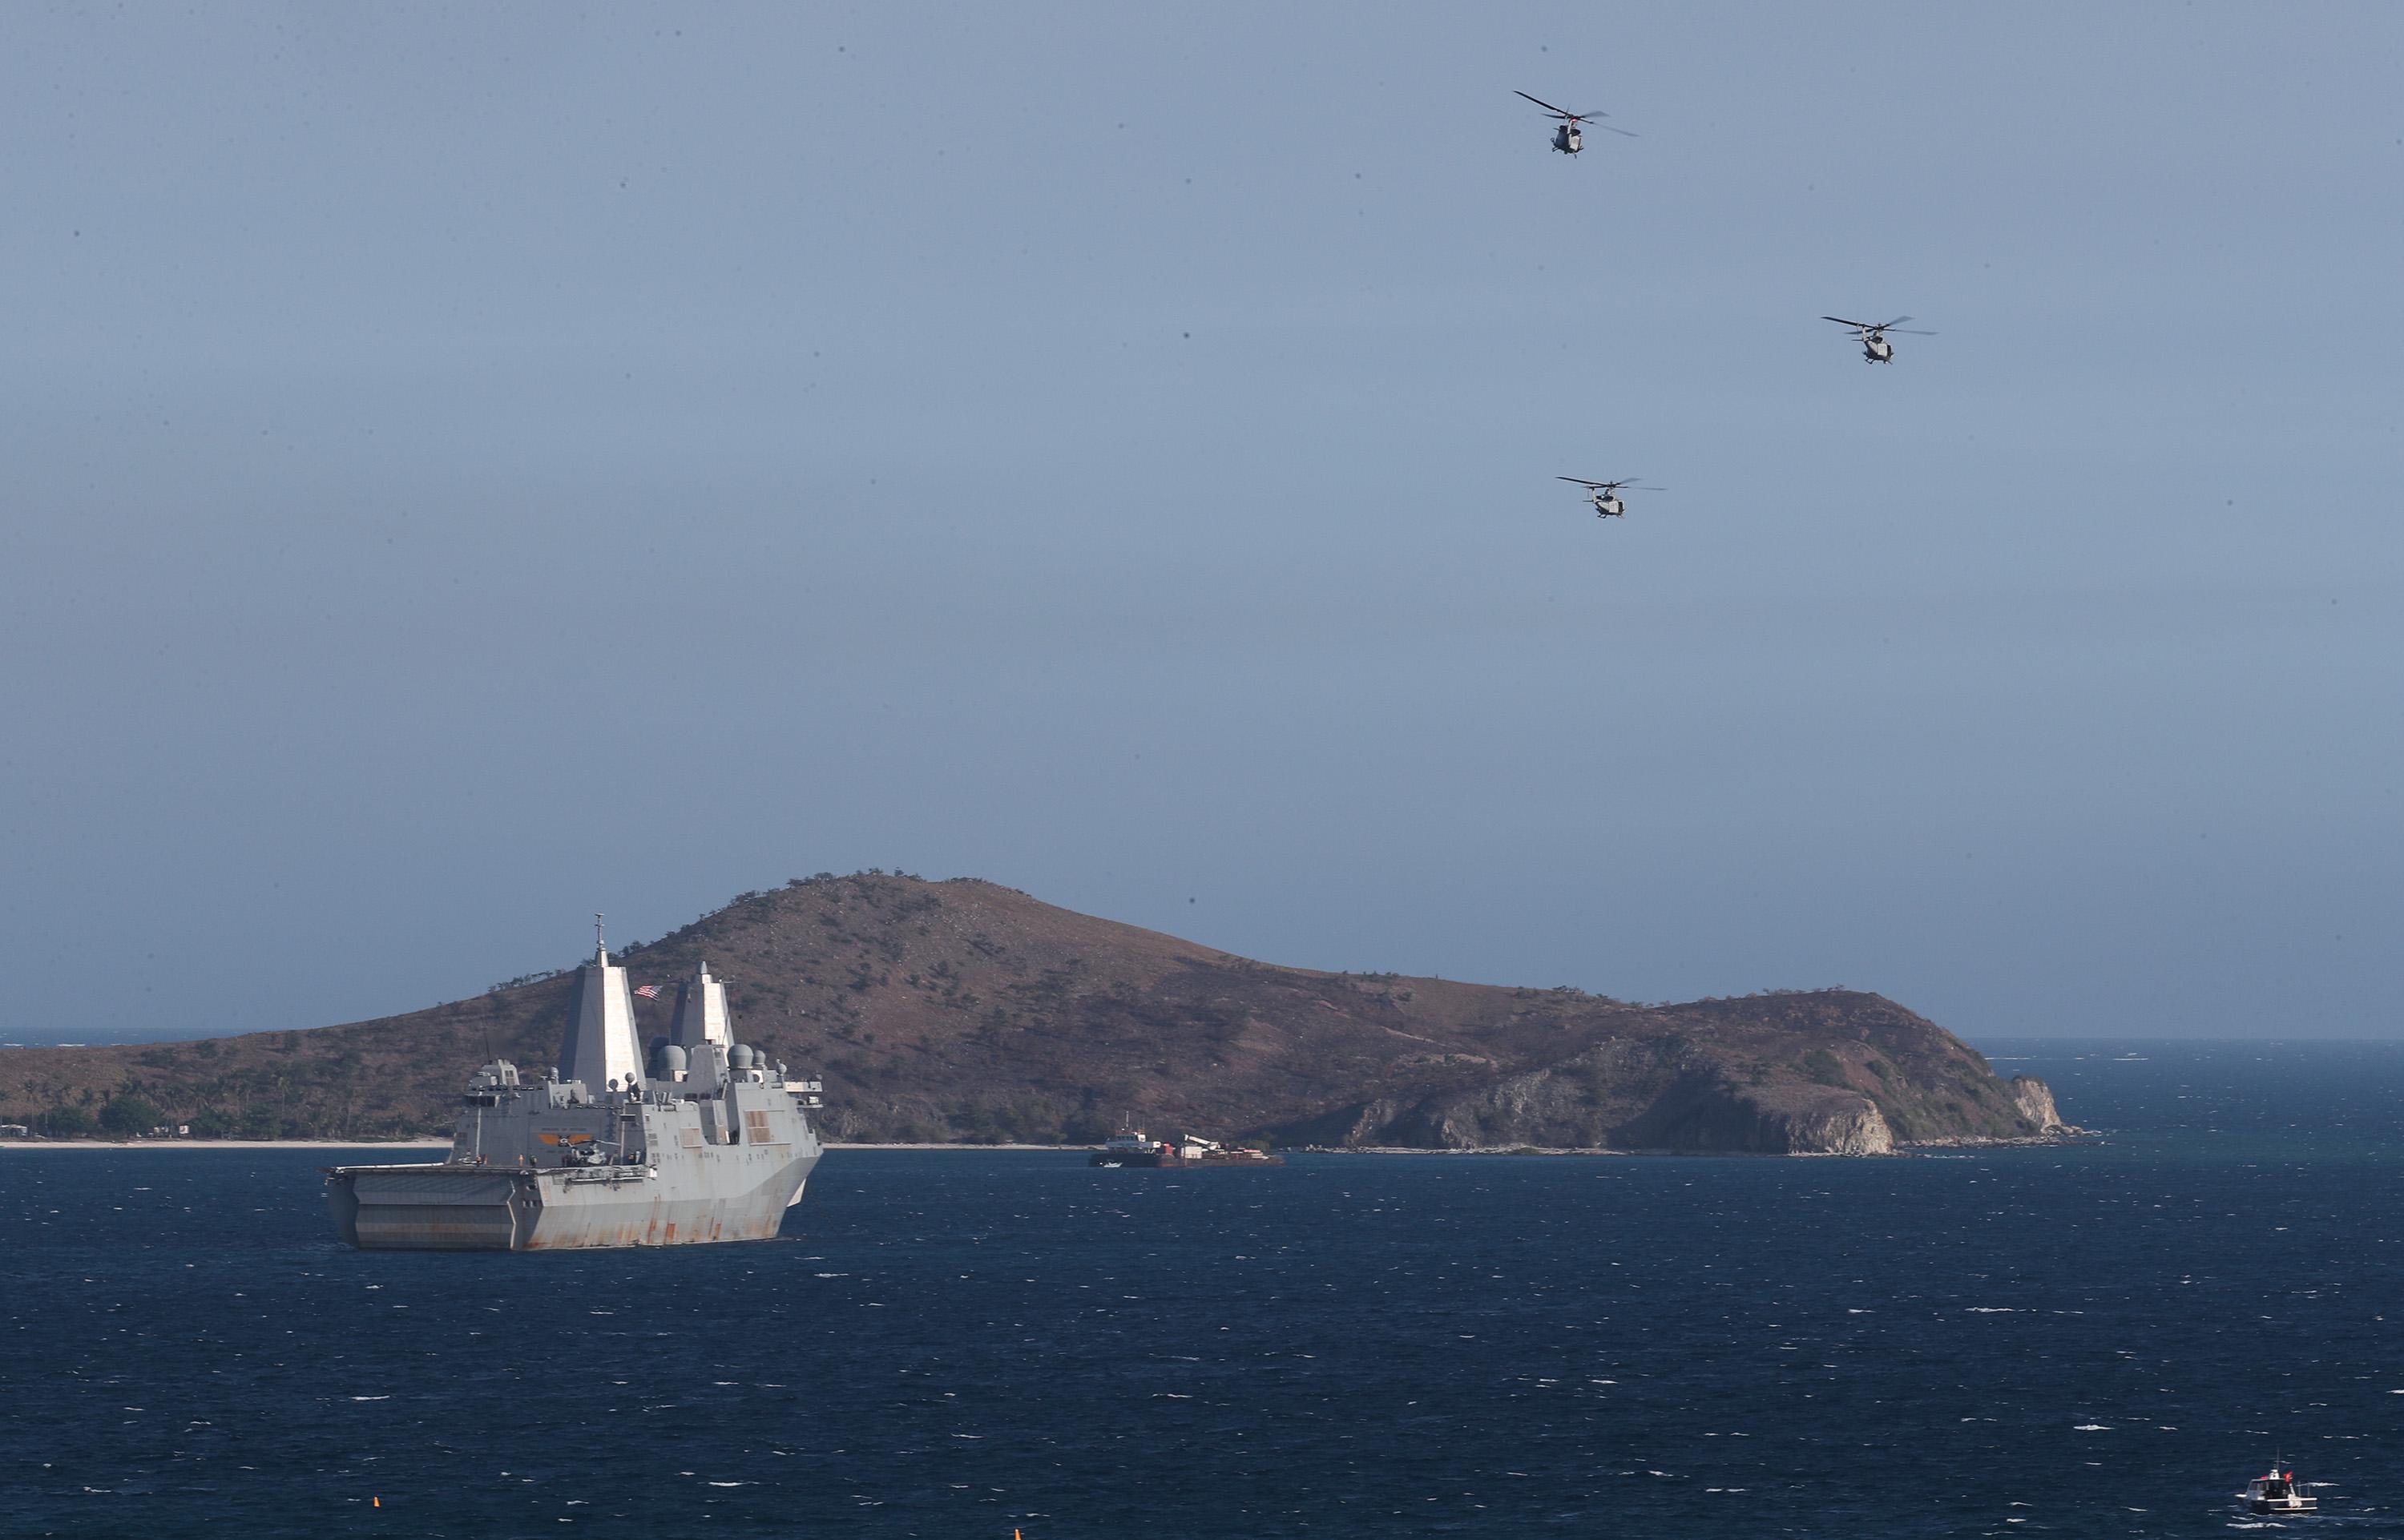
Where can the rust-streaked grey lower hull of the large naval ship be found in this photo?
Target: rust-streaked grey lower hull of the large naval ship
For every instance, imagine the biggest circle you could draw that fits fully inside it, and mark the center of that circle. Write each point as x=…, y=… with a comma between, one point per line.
x=561, y=1210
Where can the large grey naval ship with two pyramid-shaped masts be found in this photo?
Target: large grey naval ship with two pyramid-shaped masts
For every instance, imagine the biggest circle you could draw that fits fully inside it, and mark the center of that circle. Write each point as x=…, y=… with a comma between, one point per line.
x=713, y=1145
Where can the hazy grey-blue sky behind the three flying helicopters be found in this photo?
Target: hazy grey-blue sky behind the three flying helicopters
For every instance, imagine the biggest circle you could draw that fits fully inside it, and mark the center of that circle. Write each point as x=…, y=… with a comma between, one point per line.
x=468, y=467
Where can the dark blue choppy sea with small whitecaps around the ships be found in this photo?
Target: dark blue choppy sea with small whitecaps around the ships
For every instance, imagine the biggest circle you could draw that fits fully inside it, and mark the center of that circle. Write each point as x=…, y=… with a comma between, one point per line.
x=2037, y=1342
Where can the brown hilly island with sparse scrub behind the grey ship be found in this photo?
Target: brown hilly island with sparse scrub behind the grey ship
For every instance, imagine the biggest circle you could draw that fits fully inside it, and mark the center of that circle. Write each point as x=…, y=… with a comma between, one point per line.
x=975, y=1013
